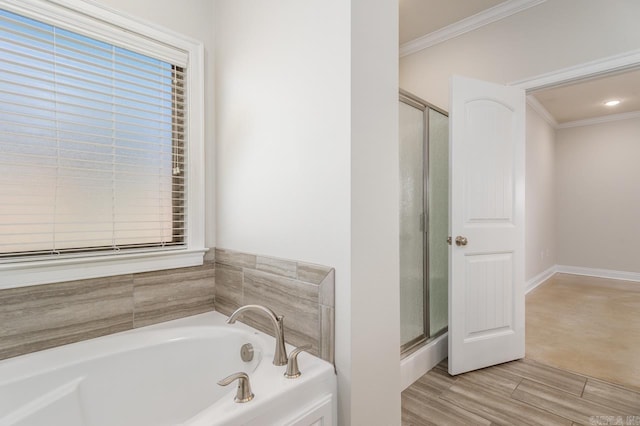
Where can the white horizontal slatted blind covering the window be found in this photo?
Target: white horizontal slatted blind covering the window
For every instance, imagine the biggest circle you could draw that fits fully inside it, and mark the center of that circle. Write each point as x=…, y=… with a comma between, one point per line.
x=92, y=145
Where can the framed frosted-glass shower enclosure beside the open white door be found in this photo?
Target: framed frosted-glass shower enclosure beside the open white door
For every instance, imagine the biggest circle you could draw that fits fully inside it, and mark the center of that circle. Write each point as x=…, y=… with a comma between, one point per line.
x=424, y=212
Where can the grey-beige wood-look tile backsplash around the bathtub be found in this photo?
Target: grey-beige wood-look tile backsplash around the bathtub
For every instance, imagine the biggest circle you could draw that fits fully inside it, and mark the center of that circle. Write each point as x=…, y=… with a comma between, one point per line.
x=44, y=316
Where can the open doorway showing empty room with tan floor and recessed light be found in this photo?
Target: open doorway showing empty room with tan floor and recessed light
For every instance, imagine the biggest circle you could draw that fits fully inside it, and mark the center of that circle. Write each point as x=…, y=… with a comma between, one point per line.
x=594, y=214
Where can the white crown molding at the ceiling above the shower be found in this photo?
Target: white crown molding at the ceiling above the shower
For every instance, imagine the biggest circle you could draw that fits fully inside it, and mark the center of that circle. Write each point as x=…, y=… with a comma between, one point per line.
x=496, y=13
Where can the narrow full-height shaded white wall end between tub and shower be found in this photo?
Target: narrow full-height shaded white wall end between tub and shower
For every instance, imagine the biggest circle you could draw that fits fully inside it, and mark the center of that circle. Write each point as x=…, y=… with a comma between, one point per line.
x=375, y=186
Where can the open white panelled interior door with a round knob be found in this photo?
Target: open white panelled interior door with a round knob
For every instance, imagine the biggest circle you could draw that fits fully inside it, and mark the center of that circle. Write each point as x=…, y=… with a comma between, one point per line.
x=486, y=262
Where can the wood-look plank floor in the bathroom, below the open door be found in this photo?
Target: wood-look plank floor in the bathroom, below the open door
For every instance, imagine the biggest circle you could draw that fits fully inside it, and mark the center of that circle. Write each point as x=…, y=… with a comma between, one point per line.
x=522, y=392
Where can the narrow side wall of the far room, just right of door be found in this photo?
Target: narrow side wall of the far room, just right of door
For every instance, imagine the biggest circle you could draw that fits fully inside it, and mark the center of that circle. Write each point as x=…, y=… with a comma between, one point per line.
x=540, y=210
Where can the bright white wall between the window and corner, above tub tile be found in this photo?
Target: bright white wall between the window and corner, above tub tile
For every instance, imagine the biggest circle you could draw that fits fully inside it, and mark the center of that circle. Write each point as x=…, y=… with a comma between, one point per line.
x=283, y=129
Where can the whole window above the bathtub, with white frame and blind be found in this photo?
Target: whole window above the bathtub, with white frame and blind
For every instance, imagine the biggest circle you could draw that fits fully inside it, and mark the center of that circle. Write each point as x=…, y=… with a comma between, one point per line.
x=98, y=146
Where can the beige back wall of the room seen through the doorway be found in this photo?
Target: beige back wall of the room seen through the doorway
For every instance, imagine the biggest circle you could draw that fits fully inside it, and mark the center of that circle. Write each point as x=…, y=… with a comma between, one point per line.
x=598, y=196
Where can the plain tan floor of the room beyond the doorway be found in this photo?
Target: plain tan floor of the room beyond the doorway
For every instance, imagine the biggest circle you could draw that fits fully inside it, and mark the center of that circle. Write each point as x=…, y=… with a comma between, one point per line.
x=587, y=325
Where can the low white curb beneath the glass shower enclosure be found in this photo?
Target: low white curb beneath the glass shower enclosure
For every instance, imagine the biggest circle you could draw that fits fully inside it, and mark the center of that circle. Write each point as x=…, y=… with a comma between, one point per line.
x=424, y=359
